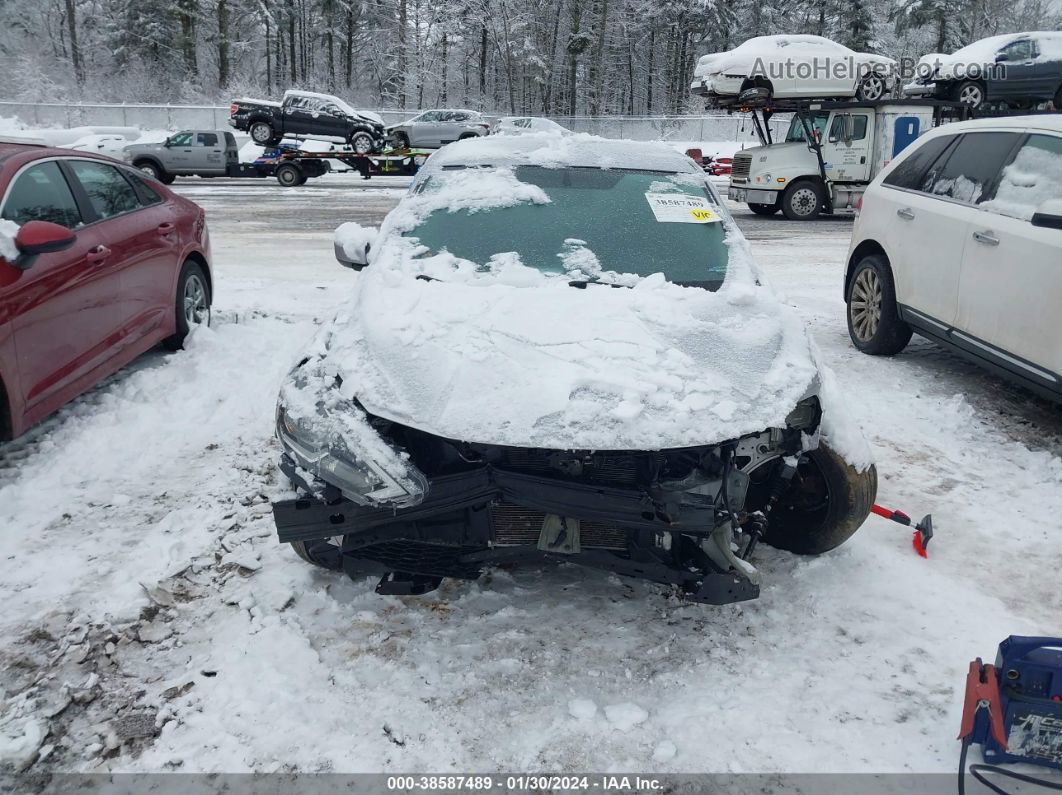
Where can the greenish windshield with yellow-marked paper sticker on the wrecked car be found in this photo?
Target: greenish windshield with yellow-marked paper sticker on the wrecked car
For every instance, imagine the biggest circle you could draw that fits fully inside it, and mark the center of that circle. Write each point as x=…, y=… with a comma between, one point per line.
x=624, y=221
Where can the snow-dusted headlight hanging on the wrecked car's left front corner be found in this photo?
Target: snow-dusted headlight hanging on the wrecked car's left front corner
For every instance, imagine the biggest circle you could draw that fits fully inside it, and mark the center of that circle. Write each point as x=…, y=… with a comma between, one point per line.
x=368, y=477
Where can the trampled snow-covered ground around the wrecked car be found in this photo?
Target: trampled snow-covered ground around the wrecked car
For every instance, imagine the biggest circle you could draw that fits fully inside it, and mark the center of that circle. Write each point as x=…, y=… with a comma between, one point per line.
x=152, y=623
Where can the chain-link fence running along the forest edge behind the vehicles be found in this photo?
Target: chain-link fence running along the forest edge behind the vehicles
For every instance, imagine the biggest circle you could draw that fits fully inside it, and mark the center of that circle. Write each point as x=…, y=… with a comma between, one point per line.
x=708, y=128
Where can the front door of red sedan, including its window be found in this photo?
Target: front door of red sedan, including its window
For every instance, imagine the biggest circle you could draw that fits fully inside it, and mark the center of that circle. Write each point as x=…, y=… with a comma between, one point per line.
x=61, y=309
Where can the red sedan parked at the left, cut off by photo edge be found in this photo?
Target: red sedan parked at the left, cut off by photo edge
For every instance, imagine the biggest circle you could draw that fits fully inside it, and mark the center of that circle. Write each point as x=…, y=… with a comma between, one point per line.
x=98, y=265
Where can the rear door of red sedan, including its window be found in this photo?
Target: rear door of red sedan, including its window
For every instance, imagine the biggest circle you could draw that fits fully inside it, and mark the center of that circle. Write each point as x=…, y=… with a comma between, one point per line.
x=143, y=232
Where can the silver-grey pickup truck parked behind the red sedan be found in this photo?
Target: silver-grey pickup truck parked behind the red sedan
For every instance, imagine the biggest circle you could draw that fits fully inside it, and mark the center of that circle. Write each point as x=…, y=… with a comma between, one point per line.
x=192, y=152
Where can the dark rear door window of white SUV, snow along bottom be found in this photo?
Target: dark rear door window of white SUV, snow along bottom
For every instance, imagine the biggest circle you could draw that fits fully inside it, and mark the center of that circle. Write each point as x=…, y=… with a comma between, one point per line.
x=969, y=174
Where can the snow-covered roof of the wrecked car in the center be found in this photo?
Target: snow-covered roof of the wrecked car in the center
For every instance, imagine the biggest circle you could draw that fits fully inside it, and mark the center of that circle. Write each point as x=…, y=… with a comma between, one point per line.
x=552, y=150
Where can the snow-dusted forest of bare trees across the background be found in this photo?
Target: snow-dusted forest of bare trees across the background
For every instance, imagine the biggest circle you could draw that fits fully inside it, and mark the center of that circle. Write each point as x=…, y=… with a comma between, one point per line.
x=554, y=58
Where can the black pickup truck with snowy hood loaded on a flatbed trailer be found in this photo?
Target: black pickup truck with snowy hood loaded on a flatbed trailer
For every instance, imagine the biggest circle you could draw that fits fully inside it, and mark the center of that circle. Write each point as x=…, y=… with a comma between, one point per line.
x=309, y=115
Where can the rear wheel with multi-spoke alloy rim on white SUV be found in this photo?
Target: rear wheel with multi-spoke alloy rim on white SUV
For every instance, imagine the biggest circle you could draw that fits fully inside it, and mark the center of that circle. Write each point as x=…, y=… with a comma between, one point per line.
x=875, y=323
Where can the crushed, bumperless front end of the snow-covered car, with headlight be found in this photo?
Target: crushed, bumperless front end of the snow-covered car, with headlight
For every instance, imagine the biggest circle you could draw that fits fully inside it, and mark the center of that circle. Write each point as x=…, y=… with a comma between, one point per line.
x=379, y=498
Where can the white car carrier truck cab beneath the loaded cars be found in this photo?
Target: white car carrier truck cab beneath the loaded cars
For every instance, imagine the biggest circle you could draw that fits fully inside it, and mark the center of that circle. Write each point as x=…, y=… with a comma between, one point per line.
x=832, y=151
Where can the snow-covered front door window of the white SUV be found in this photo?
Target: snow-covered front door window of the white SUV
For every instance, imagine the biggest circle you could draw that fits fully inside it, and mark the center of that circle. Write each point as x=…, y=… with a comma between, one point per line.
x=1030, y=180
